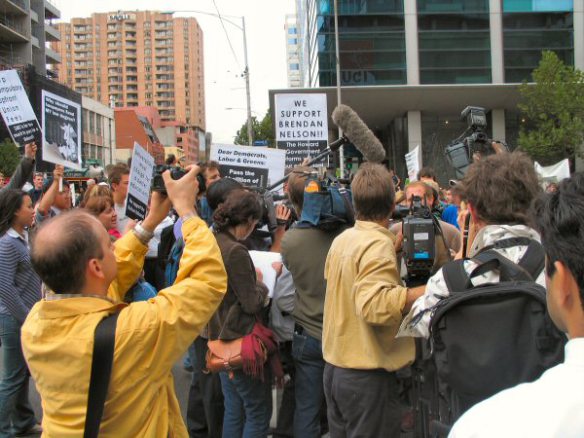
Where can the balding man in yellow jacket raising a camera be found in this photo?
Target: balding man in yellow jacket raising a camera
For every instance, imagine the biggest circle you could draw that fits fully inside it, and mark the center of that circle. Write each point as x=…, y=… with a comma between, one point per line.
x=74, y=257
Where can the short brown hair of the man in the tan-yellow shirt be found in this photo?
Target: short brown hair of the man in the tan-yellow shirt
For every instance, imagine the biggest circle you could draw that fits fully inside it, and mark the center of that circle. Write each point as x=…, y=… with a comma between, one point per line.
x=373, y=192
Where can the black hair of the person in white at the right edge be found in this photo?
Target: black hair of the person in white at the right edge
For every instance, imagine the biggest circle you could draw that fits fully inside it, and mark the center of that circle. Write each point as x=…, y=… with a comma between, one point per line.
x=559, y=218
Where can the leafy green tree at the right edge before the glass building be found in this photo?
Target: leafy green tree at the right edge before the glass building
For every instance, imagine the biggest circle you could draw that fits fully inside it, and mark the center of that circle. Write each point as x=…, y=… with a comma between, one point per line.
x=554, y=111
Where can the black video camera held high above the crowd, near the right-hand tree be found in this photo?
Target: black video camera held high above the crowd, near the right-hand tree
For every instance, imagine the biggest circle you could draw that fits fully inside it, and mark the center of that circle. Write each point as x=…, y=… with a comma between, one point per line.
x=474, y=140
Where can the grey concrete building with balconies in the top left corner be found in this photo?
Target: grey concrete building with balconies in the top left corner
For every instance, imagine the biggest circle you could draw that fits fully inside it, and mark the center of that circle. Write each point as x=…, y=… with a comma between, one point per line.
x=25, y=27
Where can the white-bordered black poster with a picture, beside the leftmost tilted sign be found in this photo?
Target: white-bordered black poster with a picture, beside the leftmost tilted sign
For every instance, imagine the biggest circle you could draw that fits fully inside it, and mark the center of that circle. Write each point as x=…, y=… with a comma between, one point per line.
x=61, y=130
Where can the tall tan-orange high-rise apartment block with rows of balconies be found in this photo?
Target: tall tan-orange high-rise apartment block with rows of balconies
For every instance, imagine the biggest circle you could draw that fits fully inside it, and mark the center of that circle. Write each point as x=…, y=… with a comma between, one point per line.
x=137, y=58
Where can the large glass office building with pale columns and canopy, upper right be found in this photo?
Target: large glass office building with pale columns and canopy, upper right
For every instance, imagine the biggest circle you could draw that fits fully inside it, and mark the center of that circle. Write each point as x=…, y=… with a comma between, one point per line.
x=409, y=67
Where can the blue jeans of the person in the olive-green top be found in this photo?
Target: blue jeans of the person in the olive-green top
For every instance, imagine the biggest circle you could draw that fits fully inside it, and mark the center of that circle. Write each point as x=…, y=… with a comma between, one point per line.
x=309, y=364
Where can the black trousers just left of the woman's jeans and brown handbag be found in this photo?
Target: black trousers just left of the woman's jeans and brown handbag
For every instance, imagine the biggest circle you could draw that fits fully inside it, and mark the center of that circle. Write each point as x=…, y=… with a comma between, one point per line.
x=205, y=406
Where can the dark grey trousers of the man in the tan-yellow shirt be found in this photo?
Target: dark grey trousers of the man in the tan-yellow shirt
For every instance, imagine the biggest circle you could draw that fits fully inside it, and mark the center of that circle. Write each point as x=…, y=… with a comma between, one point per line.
x=362, y=403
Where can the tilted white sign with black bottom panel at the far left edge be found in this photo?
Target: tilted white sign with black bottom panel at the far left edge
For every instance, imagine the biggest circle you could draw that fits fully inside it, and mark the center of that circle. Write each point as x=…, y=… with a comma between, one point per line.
x=16, y=110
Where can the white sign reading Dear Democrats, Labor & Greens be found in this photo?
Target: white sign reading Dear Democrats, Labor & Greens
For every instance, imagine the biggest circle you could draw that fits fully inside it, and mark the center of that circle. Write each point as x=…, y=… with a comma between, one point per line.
x=250, y=165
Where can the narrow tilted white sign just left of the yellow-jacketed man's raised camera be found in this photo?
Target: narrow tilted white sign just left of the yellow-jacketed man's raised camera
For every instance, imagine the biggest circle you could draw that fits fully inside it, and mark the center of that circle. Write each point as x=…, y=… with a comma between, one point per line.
x=140, y=181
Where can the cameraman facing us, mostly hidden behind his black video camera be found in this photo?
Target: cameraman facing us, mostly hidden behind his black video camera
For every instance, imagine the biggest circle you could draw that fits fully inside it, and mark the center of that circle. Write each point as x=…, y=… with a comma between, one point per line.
x=447, y=237
